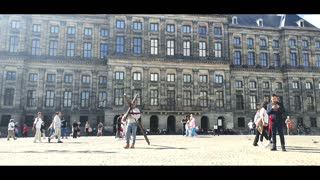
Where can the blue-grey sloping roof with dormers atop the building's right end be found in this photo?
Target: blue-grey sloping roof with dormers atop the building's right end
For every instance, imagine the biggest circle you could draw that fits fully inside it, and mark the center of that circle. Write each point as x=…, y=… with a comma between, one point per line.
x=269, y=20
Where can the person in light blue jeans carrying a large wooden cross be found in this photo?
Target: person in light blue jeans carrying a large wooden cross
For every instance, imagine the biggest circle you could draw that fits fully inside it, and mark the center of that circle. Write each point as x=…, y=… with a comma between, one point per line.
x=132, y=124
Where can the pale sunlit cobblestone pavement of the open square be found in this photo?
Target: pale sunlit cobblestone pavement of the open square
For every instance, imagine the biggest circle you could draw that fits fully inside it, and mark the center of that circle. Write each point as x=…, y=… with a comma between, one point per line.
x=164, y=150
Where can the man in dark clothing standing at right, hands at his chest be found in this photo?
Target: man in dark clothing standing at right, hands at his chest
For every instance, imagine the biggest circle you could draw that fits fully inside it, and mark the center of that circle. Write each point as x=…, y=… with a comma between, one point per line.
x=275, y=109
